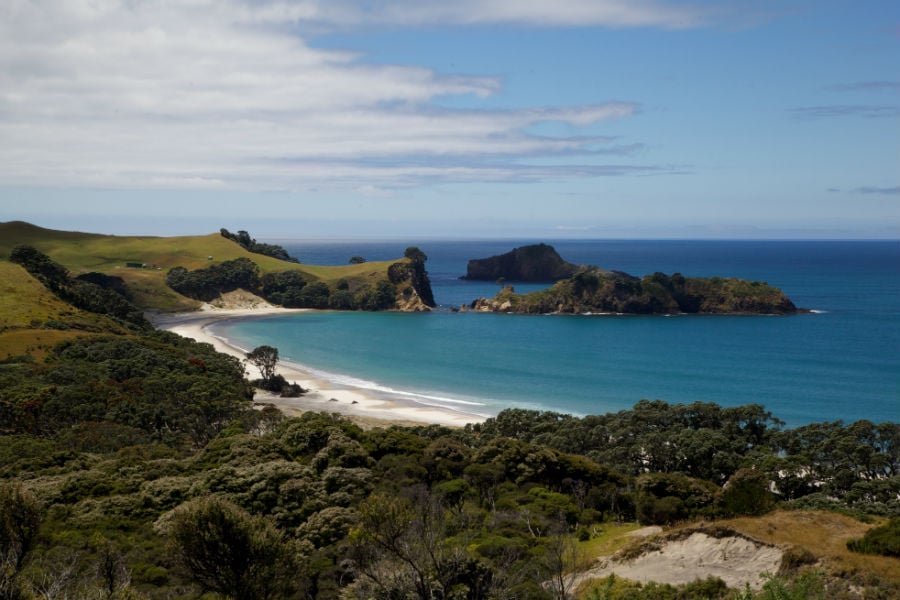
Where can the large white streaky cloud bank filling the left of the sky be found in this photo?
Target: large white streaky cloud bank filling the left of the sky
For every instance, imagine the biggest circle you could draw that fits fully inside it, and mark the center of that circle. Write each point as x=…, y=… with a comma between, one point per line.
x=227, y=94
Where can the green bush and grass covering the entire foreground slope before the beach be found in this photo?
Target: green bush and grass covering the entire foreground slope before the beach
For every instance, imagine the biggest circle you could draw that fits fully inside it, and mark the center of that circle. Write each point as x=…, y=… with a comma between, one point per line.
x=134, y=464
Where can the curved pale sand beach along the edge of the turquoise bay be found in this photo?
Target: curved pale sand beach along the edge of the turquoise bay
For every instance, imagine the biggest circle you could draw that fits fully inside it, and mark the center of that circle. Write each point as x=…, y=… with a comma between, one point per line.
x=368, y=408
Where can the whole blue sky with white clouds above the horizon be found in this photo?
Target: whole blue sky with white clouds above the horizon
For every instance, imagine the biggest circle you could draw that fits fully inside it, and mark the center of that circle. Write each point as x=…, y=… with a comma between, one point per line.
x=453, y=118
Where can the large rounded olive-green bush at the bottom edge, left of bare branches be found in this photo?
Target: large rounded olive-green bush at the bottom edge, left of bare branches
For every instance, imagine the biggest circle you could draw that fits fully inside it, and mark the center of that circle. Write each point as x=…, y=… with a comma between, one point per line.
x=226, y=550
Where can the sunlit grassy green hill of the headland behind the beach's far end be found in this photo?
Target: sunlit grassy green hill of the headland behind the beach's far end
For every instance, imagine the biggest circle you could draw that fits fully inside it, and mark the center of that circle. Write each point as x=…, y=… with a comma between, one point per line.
x=109, y=254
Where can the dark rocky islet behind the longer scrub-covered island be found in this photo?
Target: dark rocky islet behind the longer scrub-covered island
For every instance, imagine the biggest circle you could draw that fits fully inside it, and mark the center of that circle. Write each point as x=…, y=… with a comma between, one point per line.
x=537, y=263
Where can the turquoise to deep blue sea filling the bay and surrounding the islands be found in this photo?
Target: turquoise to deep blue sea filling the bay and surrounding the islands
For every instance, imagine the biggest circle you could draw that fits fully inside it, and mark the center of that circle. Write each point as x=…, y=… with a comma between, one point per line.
x=841, y=362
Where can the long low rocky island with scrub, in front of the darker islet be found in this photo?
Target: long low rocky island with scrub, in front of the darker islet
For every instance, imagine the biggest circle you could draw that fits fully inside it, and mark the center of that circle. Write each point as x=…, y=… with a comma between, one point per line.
x=592, y=290
